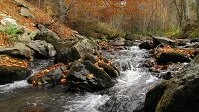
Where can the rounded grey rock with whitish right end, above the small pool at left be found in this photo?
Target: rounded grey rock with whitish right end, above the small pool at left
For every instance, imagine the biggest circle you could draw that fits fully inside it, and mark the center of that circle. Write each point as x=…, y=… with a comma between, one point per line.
x=42, y=48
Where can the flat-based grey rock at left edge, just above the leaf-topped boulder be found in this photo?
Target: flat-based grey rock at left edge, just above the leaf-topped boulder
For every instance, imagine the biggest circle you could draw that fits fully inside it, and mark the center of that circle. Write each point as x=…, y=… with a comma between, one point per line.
x=19, y=50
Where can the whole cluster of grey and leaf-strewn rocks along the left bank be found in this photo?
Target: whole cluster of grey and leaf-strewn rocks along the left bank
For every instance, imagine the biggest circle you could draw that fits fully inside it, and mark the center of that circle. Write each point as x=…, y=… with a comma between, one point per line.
x=77, y=63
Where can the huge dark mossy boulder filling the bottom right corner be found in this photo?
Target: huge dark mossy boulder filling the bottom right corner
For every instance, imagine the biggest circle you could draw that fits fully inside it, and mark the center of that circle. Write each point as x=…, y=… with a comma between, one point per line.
x=179, y=94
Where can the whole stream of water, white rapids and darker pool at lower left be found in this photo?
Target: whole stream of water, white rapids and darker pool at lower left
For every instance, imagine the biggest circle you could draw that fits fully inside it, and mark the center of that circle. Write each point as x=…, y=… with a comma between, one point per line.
x=126, y=96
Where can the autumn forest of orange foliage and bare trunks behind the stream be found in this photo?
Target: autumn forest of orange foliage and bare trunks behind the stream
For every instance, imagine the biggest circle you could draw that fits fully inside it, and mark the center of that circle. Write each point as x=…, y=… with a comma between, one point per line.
x=161, y=17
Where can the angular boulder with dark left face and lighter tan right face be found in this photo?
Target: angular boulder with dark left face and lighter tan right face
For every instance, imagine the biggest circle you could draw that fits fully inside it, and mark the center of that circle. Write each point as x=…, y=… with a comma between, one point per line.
x=76, y=51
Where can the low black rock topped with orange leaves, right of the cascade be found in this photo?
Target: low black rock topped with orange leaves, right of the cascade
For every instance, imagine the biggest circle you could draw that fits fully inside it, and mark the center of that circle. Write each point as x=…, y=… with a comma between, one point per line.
x=168, y=57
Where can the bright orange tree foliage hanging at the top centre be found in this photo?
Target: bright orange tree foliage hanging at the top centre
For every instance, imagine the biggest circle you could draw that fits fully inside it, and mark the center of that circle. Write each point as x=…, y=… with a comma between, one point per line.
x=104, y=9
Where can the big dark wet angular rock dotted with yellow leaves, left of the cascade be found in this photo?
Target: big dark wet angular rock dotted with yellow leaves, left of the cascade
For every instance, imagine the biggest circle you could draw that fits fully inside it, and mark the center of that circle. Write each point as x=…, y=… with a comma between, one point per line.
x=87, y=77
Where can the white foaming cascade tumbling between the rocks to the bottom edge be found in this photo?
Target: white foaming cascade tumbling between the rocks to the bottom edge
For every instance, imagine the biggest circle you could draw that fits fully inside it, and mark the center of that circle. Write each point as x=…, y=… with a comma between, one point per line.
x=127, y=95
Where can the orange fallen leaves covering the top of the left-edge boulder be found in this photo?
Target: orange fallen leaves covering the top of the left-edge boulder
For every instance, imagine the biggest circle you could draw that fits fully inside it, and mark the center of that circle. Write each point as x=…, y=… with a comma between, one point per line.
x=12, y=62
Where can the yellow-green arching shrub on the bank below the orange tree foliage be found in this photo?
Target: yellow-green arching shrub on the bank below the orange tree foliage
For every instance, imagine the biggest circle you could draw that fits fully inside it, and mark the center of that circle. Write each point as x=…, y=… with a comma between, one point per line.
x=95, y=29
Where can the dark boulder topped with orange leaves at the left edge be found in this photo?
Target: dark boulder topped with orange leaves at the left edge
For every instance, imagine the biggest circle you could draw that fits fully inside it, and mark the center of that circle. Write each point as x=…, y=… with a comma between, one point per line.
x=12, y=69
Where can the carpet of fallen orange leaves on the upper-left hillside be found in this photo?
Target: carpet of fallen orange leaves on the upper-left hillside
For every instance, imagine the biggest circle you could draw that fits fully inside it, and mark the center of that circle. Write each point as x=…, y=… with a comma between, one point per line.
x=10, y=8
